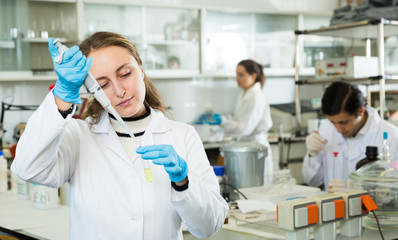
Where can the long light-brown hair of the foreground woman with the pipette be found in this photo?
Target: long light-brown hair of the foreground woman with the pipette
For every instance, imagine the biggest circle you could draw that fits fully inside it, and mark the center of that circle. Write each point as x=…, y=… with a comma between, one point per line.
x=100, y=40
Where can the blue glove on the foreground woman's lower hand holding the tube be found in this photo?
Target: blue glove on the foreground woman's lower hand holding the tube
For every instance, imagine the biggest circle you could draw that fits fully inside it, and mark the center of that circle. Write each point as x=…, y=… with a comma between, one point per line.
x=165, y=155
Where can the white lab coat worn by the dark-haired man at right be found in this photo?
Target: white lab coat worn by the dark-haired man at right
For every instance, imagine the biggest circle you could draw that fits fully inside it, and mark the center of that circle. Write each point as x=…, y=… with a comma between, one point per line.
x=324, y=167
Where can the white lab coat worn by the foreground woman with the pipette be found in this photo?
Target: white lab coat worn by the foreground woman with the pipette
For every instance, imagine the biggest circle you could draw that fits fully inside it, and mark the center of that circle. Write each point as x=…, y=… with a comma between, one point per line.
x=109, y=195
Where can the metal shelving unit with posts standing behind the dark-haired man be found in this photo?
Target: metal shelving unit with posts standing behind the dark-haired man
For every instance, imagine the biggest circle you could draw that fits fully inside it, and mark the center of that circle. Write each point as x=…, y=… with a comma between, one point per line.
x=363, y=30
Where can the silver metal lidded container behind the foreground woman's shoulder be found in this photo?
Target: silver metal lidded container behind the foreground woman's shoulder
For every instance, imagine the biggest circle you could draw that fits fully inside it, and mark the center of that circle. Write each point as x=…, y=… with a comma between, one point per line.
x=244, y=163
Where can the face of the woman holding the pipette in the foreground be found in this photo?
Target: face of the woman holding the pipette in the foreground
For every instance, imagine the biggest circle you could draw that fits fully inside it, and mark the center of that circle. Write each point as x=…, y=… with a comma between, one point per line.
x=121, y=78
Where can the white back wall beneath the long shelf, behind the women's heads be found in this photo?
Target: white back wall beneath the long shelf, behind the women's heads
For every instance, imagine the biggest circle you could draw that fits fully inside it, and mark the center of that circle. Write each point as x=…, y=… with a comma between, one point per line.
x=187, y=98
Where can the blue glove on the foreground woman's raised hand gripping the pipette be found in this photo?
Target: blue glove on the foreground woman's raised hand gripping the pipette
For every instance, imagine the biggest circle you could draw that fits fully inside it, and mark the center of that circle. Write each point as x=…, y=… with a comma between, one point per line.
x=71, y=72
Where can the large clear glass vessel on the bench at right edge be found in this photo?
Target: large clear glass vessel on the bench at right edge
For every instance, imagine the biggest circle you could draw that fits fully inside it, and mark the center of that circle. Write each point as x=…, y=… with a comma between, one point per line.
x=379, y=179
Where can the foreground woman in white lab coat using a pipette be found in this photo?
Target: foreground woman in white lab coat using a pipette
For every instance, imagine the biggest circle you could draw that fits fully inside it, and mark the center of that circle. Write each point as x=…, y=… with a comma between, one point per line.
x=110, y=197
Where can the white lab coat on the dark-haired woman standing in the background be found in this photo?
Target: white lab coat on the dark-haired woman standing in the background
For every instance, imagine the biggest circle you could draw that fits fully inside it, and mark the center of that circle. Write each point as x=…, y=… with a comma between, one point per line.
x=252, y=118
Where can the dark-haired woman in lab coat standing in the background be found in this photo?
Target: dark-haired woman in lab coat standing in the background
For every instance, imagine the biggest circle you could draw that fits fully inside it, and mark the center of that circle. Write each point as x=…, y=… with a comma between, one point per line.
x=252, y=117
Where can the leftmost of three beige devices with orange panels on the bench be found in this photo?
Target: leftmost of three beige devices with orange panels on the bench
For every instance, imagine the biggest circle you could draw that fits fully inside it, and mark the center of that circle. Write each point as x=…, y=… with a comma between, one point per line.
x=296, y=216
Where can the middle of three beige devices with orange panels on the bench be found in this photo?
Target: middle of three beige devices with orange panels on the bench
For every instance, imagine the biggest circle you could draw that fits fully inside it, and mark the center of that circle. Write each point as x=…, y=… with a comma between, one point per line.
x=331, y=210
